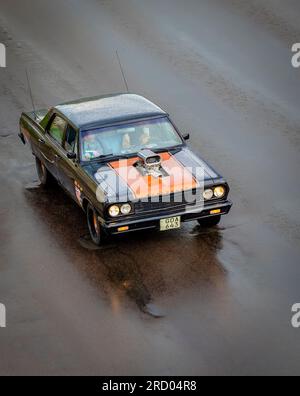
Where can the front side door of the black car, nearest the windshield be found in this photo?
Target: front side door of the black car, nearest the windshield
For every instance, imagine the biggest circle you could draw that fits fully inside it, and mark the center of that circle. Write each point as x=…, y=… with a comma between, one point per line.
x=67, y=163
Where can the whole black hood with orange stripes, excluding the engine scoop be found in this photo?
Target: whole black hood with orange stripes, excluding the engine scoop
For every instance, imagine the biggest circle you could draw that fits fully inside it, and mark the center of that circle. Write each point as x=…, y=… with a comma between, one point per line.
x=121, y=181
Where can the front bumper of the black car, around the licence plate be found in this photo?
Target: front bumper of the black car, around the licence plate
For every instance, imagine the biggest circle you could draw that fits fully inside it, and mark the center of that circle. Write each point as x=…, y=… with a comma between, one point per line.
x=153, y=221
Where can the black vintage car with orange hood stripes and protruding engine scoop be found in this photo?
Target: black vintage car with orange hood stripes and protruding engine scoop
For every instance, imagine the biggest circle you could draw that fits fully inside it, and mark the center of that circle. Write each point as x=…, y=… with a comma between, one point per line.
x=125, y=163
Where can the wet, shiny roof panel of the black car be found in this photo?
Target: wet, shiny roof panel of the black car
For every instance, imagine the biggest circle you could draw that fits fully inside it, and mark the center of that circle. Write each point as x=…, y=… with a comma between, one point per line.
x=108, y=109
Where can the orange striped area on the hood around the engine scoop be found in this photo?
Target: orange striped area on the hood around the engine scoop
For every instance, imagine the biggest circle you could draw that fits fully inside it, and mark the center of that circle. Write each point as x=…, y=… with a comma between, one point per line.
x=179, y=179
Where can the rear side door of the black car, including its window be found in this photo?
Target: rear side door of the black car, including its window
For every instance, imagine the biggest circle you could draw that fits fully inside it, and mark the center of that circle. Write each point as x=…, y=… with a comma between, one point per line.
x=51, y=145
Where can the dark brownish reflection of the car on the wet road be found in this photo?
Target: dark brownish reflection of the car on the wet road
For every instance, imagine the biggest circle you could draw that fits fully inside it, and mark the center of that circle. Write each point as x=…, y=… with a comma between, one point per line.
x=142, y=266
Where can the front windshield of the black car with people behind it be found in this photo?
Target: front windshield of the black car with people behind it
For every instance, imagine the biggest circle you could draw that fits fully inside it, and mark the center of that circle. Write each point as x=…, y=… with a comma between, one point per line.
x=119, y=140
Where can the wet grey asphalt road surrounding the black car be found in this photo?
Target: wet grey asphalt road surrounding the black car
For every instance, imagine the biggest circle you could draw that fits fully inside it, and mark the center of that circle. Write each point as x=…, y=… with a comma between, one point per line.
x=222, y=68
